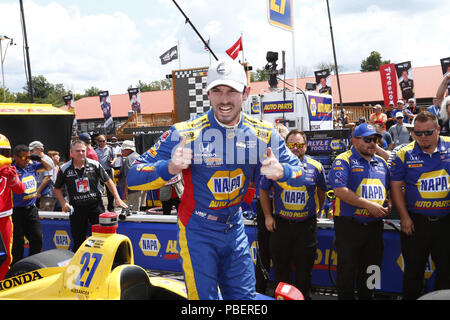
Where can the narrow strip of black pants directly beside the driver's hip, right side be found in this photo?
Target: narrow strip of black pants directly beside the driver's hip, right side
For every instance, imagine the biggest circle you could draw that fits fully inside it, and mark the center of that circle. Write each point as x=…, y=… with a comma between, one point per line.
x=262, y=268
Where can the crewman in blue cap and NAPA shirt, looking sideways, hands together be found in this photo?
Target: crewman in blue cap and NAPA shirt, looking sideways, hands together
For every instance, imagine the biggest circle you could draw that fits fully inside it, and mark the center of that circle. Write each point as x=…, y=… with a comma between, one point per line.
x=360, y=180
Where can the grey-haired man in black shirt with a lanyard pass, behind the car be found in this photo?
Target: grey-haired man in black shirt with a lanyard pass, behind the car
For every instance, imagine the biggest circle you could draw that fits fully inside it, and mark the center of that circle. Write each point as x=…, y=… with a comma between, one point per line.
x=82, y=176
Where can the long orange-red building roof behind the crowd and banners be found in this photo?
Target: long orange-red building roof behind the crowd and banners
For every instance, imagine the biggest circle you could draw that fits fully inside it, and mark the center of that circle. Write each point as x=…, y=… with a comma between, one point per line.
x=361, y=87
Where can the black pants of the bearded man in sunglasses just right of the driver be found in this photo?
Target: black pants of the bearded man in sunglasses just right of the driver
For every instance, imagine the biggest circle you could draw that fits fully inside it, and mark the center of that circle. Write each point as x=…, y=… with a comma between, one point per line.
x=294, y=244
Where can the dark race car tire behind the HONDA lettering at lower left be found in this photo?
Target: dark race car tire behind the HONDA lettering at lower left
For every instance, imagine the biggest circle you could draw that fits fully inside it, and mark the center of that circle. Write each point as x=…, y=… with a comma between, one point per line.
x=46, y=259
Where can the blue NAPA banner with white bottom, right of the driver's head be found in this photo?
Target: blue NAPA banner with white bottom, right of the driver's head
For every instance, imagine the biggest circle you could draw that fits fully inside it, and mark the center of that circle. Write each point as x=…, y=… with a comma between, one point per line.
x=320, y=112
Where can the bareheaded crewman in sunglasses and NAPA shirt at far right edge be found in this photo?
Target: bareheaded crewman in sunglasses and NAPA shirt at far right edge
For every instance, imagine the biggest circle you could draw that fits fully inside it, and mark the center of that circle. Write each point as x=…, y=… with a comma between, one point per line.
x=423, y=167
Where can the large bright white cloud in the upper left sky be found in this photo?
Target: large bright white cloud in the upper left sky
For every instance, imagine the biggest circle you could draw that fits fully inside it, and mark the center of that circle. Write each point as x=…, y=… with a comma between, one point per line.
x=77, y=50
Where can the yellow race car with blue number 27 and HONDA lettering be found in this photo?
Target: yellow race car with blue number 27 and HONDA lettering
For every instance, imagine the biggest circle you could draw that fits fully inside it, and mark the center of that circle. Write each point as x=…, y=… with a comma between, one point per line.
x=102, y=268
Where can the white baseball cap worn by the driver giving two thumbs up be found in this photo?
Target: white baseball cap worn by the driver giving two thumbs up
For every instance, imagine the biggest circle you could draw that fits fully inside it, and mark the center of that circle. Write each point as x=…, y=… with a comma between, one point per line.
x=226, y=72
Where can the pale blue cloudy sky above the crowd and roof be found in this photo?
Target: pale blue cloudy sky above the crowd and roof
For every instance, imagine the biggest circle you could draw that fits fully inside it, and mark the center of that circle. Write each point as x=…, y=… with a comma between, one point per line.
x=112, y=44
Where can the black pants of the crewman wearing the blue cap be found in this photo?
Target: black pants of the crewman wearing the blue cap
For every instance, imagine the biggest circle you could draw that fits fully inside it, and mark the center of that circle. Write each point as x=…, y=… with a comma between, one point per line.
x=358, y=247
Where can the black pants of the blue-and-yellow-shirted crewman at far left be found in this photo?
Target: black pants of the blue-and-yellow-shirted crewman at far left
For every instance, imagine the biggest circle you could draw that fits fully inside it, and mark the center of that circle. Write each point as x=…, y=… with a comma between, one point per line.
x=26, y=223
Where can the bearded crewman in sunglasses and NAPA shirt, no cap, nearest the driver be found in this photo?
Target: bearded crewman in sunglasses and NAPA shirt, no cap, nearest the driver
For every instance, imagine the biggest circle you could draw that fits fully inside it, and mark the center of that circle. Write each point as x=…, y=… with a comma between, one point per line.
x=293, y=241
